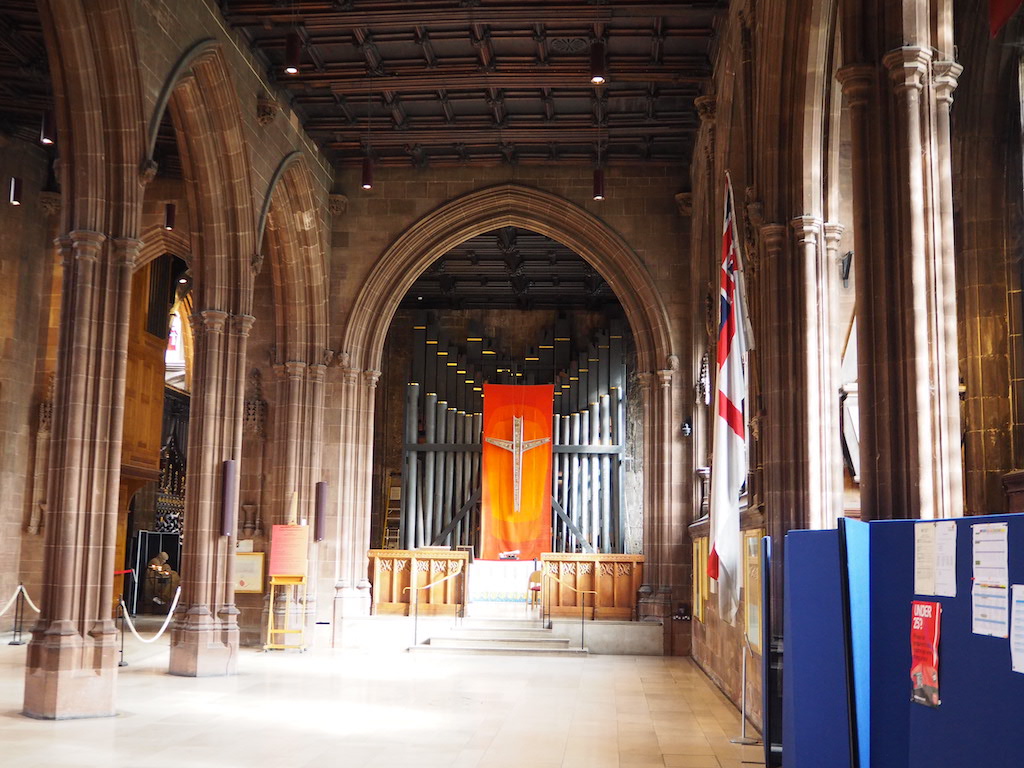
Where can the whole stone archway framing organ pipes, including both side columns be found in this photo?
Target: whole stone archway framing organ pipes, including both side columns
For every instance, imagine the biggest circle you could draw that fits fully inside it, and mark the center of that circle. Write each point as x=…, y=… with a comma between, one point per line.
x=398, y=269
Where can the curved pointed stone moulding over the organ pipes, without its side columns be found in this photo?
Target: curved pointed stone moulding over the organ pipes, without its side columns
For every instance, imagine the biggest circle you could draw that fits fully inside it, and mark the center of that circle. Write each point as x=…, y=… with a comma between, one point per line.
x=484, y=210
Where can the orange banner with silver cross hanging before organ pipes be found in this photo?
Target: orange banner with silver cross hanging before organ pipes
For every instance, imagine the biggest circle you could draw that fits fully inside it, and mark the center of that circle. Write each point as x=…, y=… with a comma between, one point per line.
x=517, y=493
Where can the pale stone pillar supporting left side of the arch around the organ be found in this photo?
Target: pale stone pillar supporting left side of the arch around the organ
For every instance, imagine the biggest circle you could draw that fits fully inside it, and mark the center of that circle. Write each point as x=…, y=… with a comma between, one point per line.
x=355, y=494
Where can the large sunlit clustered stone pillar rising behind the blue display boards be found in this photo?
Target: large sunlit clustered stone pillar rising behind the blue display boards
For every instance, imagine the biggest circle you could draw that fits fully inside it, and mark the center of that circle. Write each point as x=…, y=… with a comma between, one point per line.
x=908, y=371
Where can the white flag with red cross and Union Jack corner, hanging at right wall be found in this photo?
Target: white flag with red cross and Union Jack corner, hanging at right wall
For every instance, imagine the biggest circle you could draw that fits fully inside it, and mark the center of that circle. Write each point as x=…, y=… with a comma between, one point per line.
x=729, y=473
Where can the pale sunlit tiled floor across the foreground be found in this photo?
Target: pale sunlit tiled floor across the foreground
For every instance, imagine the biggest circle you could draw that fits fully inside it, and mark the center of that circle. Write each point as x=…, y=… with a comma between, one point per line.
x=355, y=709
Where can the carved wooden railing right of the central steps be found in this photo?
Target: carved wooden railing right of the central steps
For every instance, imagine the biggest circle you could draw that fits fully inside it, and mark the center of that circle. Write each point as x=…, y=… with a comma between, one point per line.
x=600, y=586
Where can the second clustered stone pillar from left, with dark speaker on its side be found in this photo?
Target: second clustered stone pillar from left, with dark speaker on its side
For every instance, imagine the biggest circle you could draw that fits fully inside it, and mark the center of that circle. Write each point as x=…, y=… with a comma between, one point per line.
x=205, y=634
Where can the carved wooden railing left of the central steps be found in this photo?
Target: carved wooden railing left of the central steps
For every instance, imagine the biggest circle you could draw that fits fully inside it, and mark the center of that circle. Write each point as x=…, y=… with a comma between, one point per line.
x=438, y=578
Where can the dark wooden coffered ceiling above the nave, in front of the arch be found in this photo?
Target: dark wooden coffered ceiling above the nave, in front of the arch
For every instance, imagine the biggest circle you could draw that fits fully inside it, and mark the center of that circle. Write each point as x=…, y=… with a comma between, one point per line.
x=484, y=82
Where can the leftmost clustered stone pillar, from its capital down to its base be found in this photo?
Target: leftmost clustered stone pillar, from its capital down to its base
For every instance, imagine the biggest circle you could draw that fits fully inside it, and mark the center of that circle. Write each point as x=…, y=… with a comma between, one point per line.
x=72, y=663
